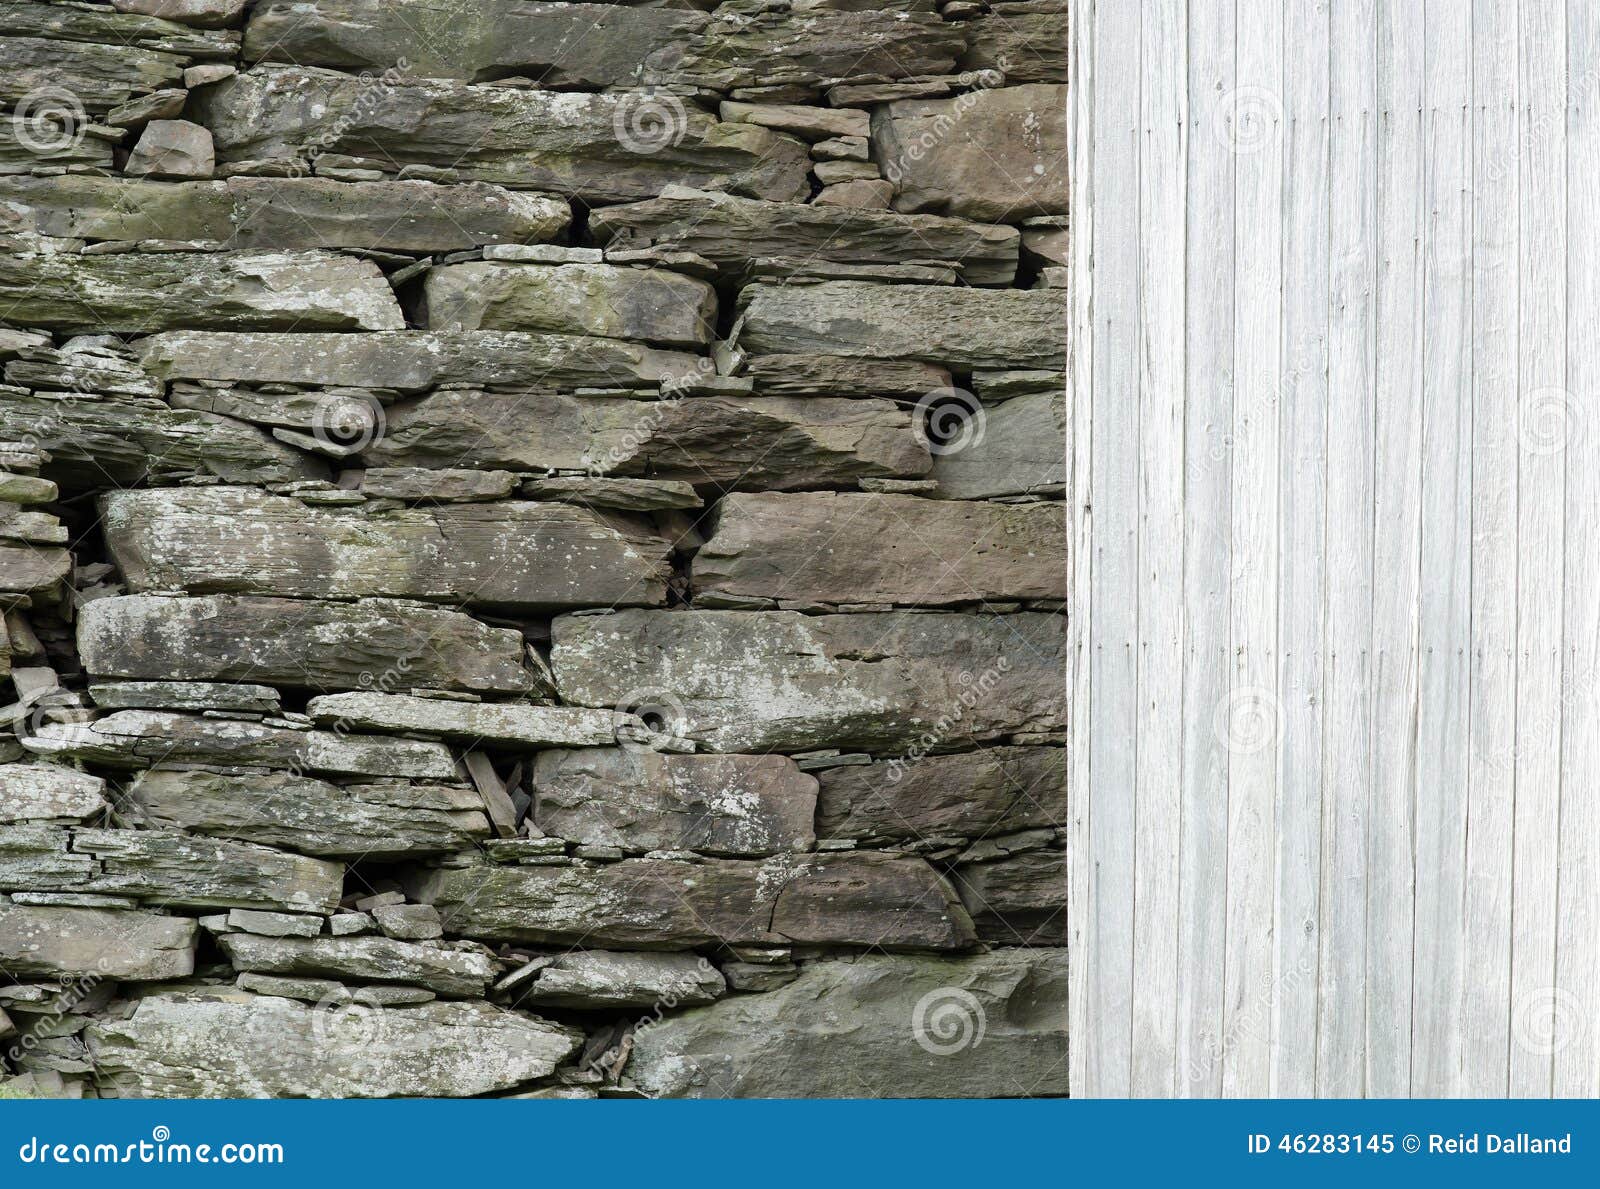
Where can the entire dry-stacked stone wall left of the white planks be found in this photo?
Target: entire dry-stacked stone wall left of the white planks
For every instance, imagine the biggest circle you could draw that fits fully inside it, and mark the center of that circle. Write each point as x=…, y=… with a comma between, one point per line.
x=532, y=548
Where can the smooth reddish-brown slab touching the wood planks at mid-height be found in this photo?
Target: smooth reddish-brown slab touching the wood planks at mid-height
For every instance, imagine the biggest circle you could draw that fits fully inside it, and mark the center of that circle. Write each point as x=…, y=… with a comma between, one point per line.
x=860, y=548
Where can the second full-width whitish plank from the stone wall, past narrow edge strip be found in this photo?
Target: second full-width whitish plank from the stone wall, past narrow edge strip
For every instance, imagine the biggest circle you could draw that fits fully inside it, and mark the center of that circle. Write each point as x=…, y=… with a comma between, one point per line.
x=1162, y=145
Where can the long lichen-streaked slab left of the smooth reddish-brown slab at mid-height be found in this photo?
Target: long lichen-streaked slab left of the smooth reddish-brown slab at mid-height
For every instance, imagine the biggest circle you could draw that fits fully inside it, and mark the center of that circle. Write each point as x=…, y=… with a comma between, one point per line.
x=518, y=556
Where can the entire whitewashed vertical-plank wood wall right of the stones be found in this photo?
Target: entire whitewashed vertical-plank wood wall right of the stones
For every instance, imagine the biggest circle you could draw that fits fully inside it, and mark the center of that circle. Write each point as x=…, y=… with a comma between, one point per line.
x=1335, y=787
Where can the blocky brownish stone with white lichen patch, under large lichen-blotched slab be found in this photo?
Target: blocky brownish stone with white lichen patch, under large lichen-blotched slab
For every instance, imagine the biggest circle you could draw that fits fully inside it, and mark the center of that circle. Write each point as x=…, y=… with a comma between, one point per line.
x=642, y=801
